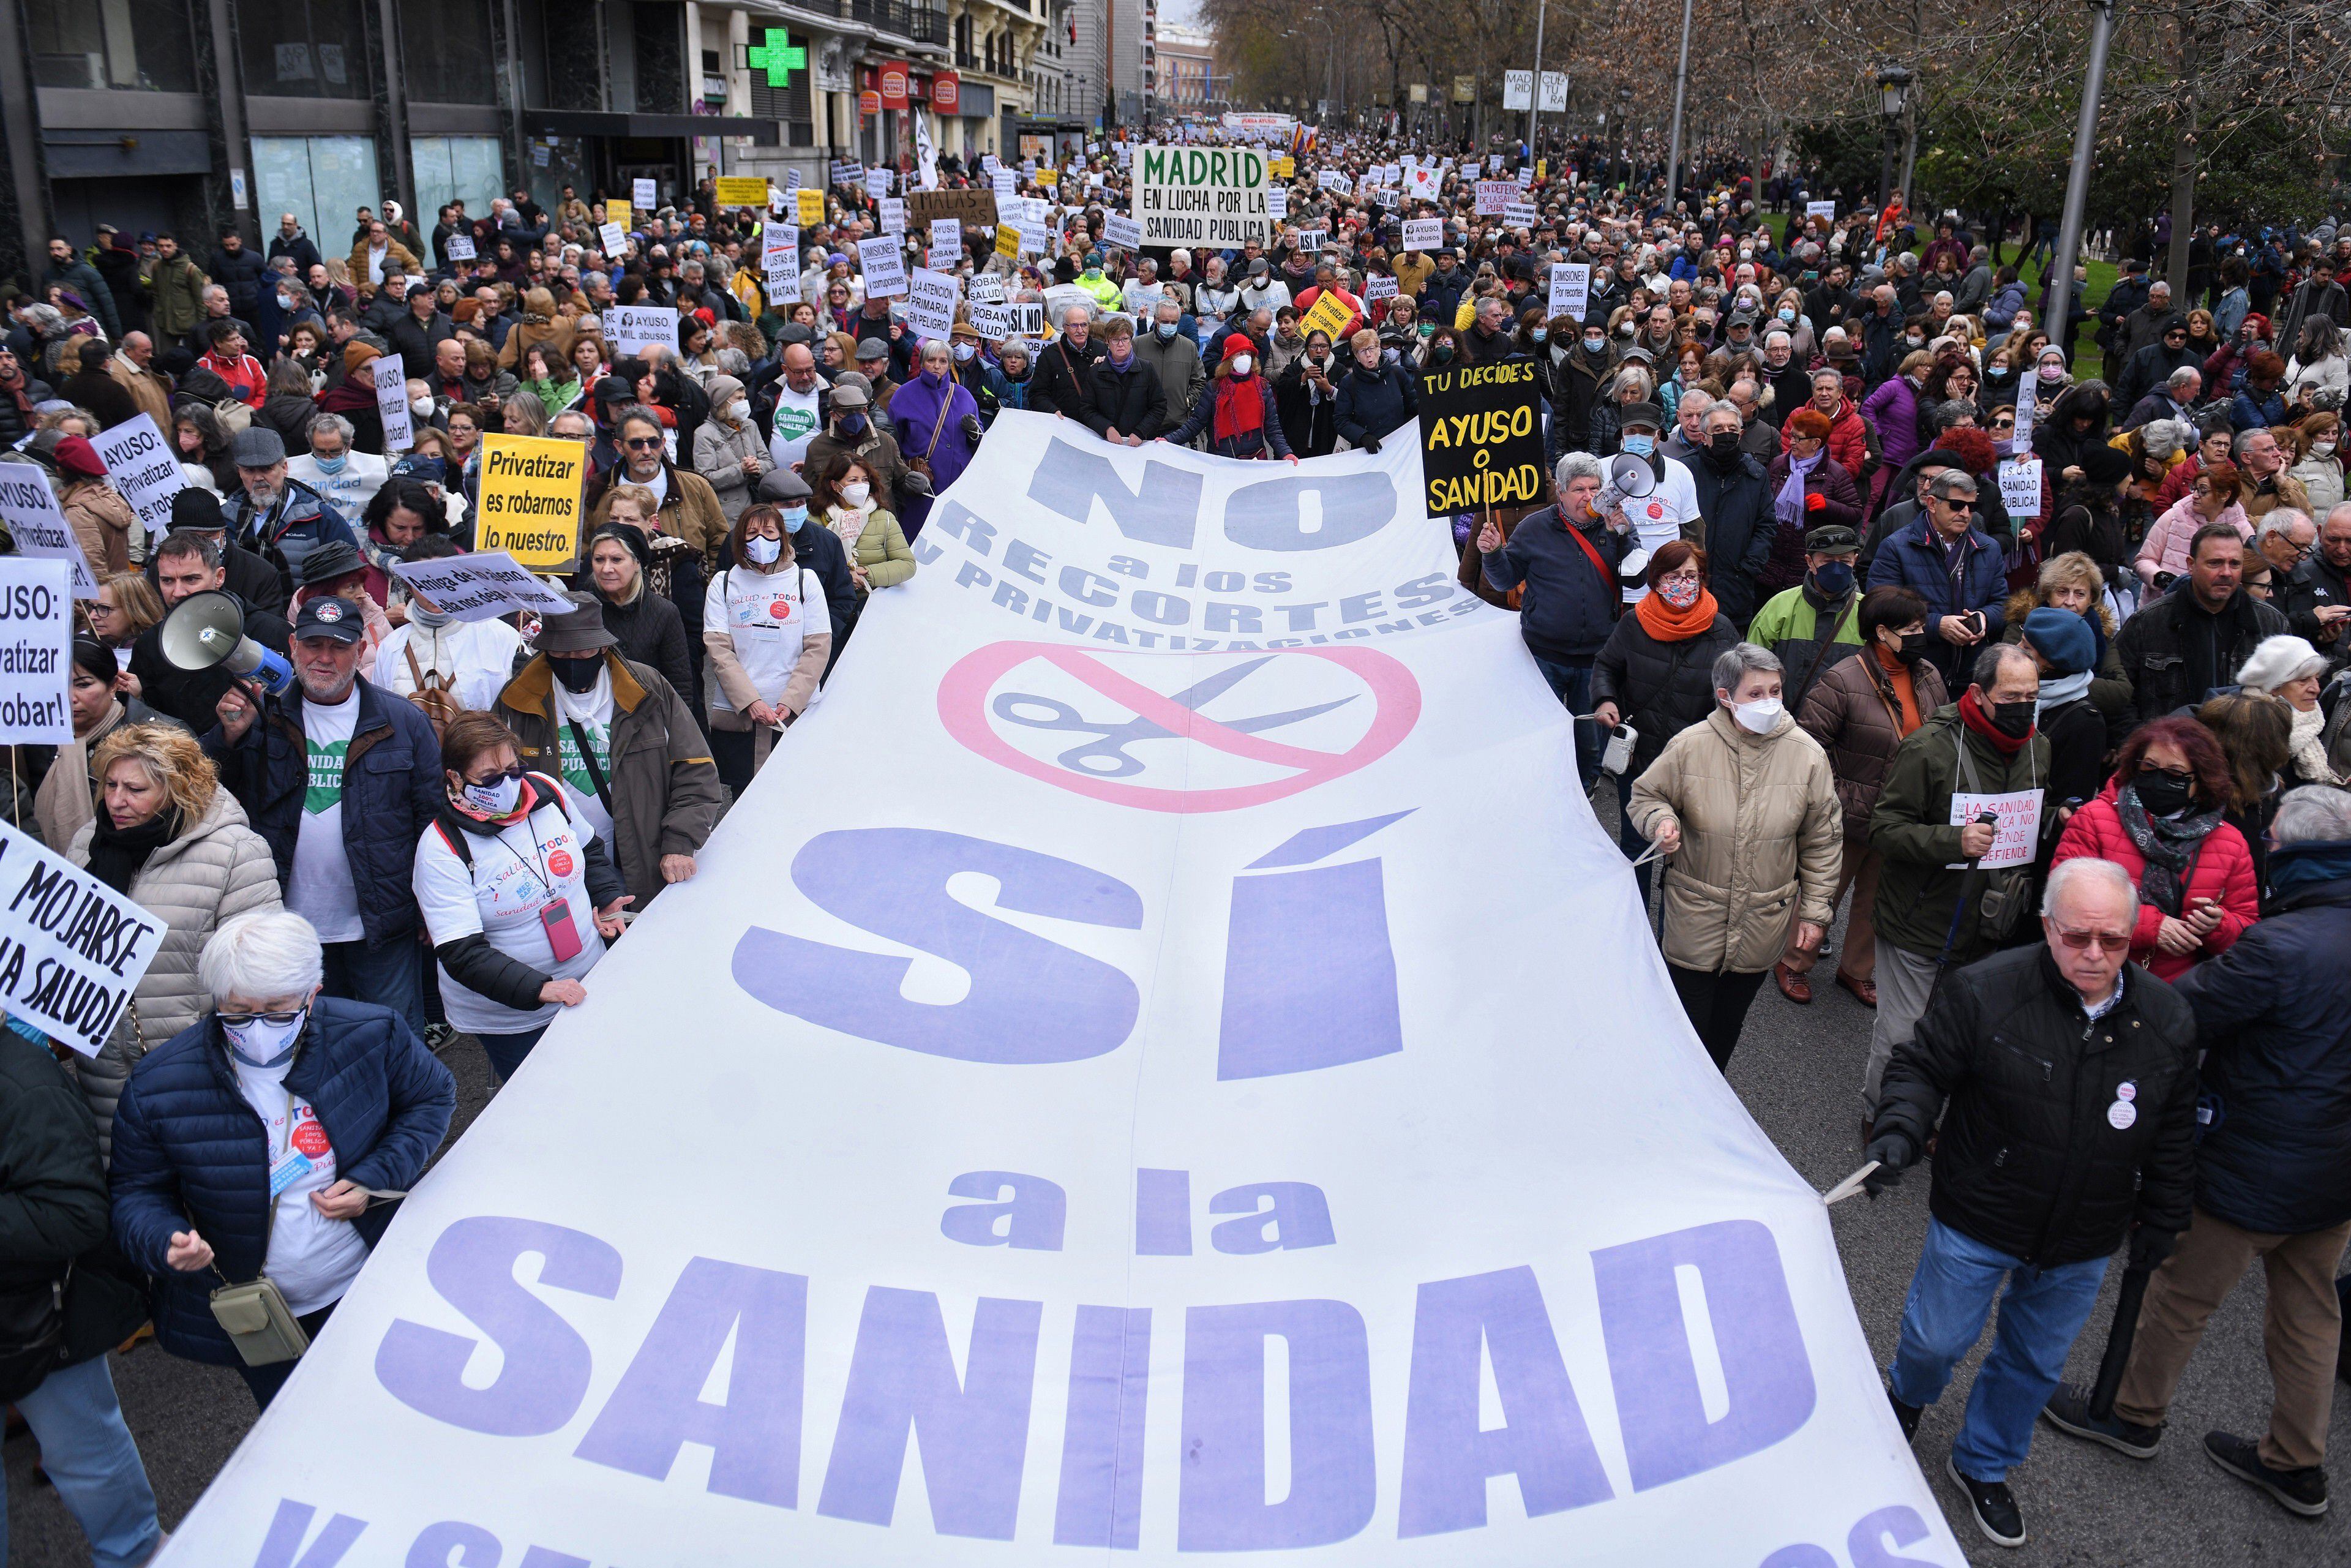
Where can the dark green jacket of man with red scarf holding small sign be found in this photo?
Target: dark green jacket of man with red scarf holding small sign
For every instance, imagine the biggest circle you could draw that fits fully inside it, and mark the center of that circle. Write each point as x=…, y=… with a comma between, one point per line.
x=1915, y=836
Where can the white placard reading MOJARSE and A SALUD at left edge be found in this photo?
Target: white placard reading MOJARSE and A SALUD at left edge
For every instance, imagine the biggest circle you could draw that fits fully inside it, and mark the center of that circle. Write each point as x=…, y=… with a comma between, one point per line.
x=72, y=949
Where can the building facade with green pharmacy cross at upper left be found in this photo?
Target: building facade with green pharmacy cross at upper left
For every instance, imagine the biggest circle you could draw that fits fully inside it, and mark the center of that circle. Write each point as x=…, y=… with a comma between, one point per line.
x=199, y=116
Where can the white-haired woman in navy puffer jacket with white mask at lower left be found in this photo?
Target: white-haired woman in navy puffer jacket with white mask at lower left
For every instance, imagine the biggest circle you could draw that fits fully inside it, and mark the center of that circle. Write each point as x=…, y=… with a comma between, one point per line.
x=269, y=1141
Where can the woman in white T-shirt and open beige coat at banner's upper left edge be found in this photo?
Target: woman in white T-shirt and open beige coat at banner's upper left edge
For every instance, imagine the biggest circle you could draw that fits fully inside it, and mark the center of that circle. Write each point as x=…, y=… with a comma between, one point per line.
x=768, y=634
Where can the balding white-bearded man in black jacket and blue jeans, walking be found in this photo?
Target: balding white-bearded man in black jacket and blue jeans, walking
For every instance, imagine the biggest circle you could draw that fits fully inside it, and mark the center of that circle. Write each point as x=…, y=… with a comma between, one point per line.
x=2065, y=1097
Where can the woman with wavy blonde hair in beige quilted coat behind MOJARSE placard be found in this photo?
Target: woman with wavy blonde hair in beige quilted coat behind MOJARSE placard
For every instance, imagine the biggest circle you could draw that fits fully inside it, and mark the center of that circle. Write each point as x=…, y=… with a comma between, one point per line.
x=175, y=843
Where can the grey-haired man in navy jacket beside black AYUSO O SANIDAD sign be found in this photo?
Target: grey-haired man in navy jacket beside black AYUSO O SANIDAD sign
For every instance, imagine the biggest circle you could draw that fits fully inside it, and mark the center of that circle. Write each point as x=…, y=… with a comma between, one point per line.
x=1574, y=591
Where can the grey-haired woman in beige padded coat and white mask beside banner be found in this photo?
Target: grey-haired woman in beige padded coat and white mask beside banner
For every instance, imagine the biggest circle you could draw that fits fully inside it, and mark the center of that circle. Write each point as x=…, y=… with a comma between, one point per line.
x=1746, y=812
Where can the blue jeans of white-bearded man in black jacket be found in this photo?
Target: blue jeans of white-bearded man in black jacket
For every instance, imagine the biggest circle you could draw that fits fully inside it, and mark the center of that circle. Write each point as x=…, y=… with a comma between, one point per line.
x=1945, y=1318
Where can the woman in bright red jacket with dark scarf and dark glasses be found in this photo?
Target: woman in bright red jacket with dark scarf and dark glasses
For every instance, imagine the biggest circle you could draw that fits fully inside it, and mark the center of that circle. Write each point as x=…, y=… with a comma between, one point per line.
x=2162, y=822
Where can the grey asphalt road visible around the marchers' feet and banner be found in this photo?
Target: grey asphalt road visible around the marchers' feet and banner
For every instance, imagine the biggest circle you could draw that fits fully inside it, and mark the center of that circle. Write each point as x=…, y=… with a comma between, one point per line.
x=1800, y=1073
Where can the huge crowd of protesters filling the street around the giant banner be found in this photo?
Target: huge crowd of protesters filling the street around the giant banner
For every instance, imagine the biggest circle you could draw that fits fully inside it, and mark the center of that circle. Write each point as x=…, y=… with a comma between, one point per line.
x=1896, y=551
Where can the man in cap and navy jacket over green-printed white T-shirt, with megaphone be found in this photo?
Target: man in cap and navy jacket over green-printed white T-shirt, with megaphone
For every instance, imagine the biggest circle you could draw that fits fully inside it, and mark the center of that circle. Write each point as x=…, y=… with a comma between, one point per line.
x=342, y=779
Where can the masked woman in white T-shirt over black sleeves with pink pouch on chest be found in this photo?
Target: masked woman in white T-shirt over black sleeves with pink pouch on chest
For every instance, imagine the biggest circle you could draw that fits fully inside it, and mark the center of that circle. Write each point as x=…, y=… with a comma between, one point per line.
x=518, y=892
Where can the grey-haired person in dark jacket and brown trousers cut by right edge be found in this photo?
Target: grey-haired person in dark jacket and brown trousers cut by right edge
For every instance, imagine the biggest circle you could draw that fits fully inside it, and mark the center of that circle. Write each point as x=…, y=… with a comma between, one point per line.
x=2272, y=1170
